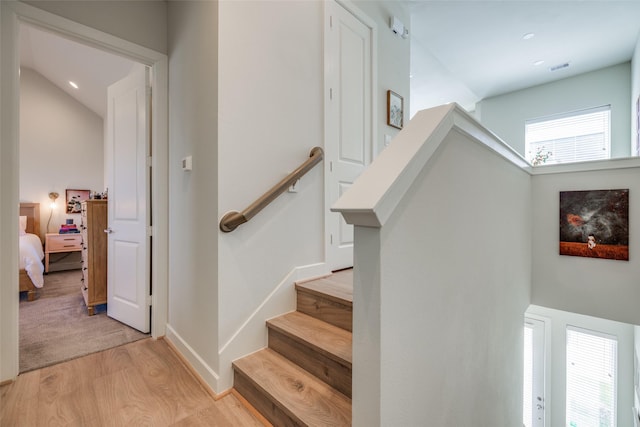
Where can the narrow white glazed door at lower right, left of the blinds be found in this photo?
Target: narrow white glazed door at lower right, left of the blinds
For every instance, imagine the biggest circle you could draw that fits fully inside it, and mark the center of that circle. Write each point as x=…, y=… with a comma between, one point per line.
x=534, y=373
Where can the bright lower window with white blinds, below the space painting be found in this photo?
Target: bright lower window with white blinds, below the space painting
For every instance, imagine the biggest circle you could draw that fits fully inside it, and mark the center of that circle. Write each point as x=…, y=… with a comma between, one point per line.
x=591, y=378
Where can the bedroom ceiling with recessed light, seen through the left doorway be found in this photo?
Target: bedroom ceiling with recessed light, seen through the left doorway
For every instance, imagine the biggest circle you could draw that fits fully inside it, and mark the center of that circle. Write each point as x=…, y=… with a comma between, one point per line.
x=62, y=60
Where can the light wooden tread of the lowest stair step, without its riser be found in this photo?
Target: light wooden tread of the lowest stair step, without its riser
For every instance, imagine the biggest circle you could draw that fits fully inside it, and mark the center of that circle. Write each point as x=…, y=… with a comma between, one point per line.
x=299, y=394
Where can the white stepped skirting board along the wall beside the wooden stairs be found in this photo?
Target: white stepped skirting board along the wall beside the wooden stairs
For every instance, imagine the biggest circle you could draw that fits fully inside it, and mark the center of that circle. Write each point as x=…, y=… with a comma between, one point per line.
x=251, y=336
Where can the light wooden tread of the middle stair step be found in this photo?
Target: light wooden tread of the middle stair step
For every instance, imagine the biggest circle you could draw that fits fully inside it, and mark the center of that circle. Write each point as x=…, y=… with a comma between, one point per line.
x=327, y=339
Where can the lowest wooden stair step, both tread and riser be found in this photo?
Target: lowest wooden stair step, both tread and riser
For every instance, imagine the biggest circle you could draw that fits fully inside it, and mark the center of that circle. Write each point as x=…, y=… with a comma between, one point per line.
x=286, y=394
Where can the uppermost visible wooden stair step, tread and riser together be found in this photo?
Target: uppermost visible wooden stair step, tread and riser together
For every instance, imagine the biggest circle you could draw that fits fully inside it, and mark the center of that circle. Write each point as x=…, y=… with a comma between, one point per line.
x=329, y=299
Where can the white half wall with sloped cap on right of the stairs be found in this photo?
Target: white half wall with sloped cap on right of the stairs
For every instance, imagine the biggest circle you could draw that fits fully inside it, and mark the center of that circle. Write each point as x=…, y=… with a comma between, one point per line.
x=441, y=287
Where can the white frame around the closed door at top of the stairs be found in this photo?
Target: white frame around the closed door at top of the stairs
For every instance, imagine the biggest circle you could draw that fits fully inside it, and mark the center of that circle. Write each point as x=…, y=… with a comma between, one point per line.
x=329, y=53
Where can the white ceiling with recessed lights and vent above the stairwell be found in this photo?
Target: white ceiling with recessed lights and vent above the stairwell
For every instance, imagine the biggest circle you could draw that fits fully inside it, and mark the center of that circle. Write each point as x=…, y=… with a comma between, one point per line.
x=465, y=51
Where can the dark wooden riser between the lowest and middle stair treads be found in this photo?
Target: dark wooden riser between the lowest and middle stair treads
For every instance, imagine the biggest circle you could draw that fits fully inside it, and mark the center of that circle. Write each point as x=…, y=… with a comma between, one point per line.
x=330, y=371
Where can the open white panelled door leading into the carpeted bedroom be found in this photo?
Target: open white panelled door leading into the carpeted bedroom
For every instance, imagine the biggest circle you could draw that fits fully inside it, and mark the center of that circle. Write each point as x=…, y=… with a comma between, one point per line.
x=126, y=156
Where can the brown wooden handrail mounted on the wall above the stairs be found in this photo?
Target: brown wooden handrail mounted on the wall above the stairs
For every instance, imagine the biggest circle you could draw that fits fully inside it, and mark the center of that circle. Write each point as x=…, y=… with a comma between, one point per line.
x=233, y=219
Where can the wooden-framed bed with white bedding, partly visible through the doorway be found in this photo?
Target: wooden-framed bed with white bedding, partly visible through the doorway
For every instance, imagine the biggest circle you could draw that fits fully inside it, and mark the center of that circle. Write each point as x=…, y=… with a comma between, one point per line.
x=31, y=254
